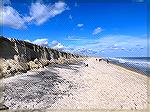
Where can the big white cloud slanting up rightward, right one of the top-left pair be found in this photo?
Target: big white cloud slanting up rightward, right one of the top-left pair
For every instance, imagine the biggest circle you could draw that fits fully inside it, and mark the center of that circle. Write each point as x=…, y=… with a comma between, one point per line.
x=39, y=13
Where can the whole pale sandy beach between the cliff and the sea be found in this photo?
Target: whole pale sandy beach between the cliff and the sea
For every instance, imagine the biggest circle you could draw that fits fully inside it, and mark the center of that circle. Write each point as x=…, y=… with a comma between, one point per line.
x=100, y=85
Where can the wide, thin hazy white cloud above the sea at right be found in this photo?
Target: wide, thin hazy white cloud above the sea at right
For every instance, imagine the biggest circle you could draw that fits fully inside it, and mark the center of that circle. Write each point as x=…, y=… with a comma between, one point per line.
x=119, y=41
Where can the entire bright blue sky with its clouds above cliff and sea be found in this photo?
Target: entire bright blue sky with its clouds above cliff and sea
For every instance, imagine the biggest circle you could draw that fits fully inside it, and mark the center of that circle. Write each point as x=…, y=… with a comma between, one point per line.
x=107, y=29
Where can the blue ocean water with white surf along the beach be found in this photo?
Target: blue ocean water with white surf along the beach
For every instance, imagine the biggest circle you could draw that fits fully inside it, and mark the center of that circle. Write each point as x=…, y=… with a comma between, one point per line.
x=139, y=64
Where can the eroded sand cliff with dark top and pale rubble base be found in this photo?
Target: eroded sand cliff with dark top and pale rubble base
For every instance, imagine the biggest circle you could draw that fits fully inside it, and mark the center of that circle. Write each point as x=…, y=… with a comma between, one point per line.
x=20, y=56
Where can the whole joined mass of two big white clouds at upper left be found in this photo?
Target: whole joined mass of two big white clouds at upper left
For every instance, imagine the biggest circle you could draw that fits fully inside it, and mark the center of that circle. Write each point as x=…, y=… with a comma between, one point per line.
x=39, y=13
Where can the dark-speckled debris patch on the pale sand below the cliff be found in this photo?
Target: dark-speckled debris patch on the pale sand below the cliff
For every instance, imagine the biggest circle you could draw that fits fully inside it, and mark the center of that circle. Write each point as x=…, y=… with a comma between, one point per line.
x=39, y=90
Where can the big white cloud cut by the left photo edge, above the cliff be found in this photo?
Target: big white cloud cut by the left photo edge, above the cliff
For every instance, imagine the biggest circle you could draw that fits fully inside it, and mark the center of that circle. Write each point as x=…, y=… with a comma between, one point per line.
x=11, y=17
